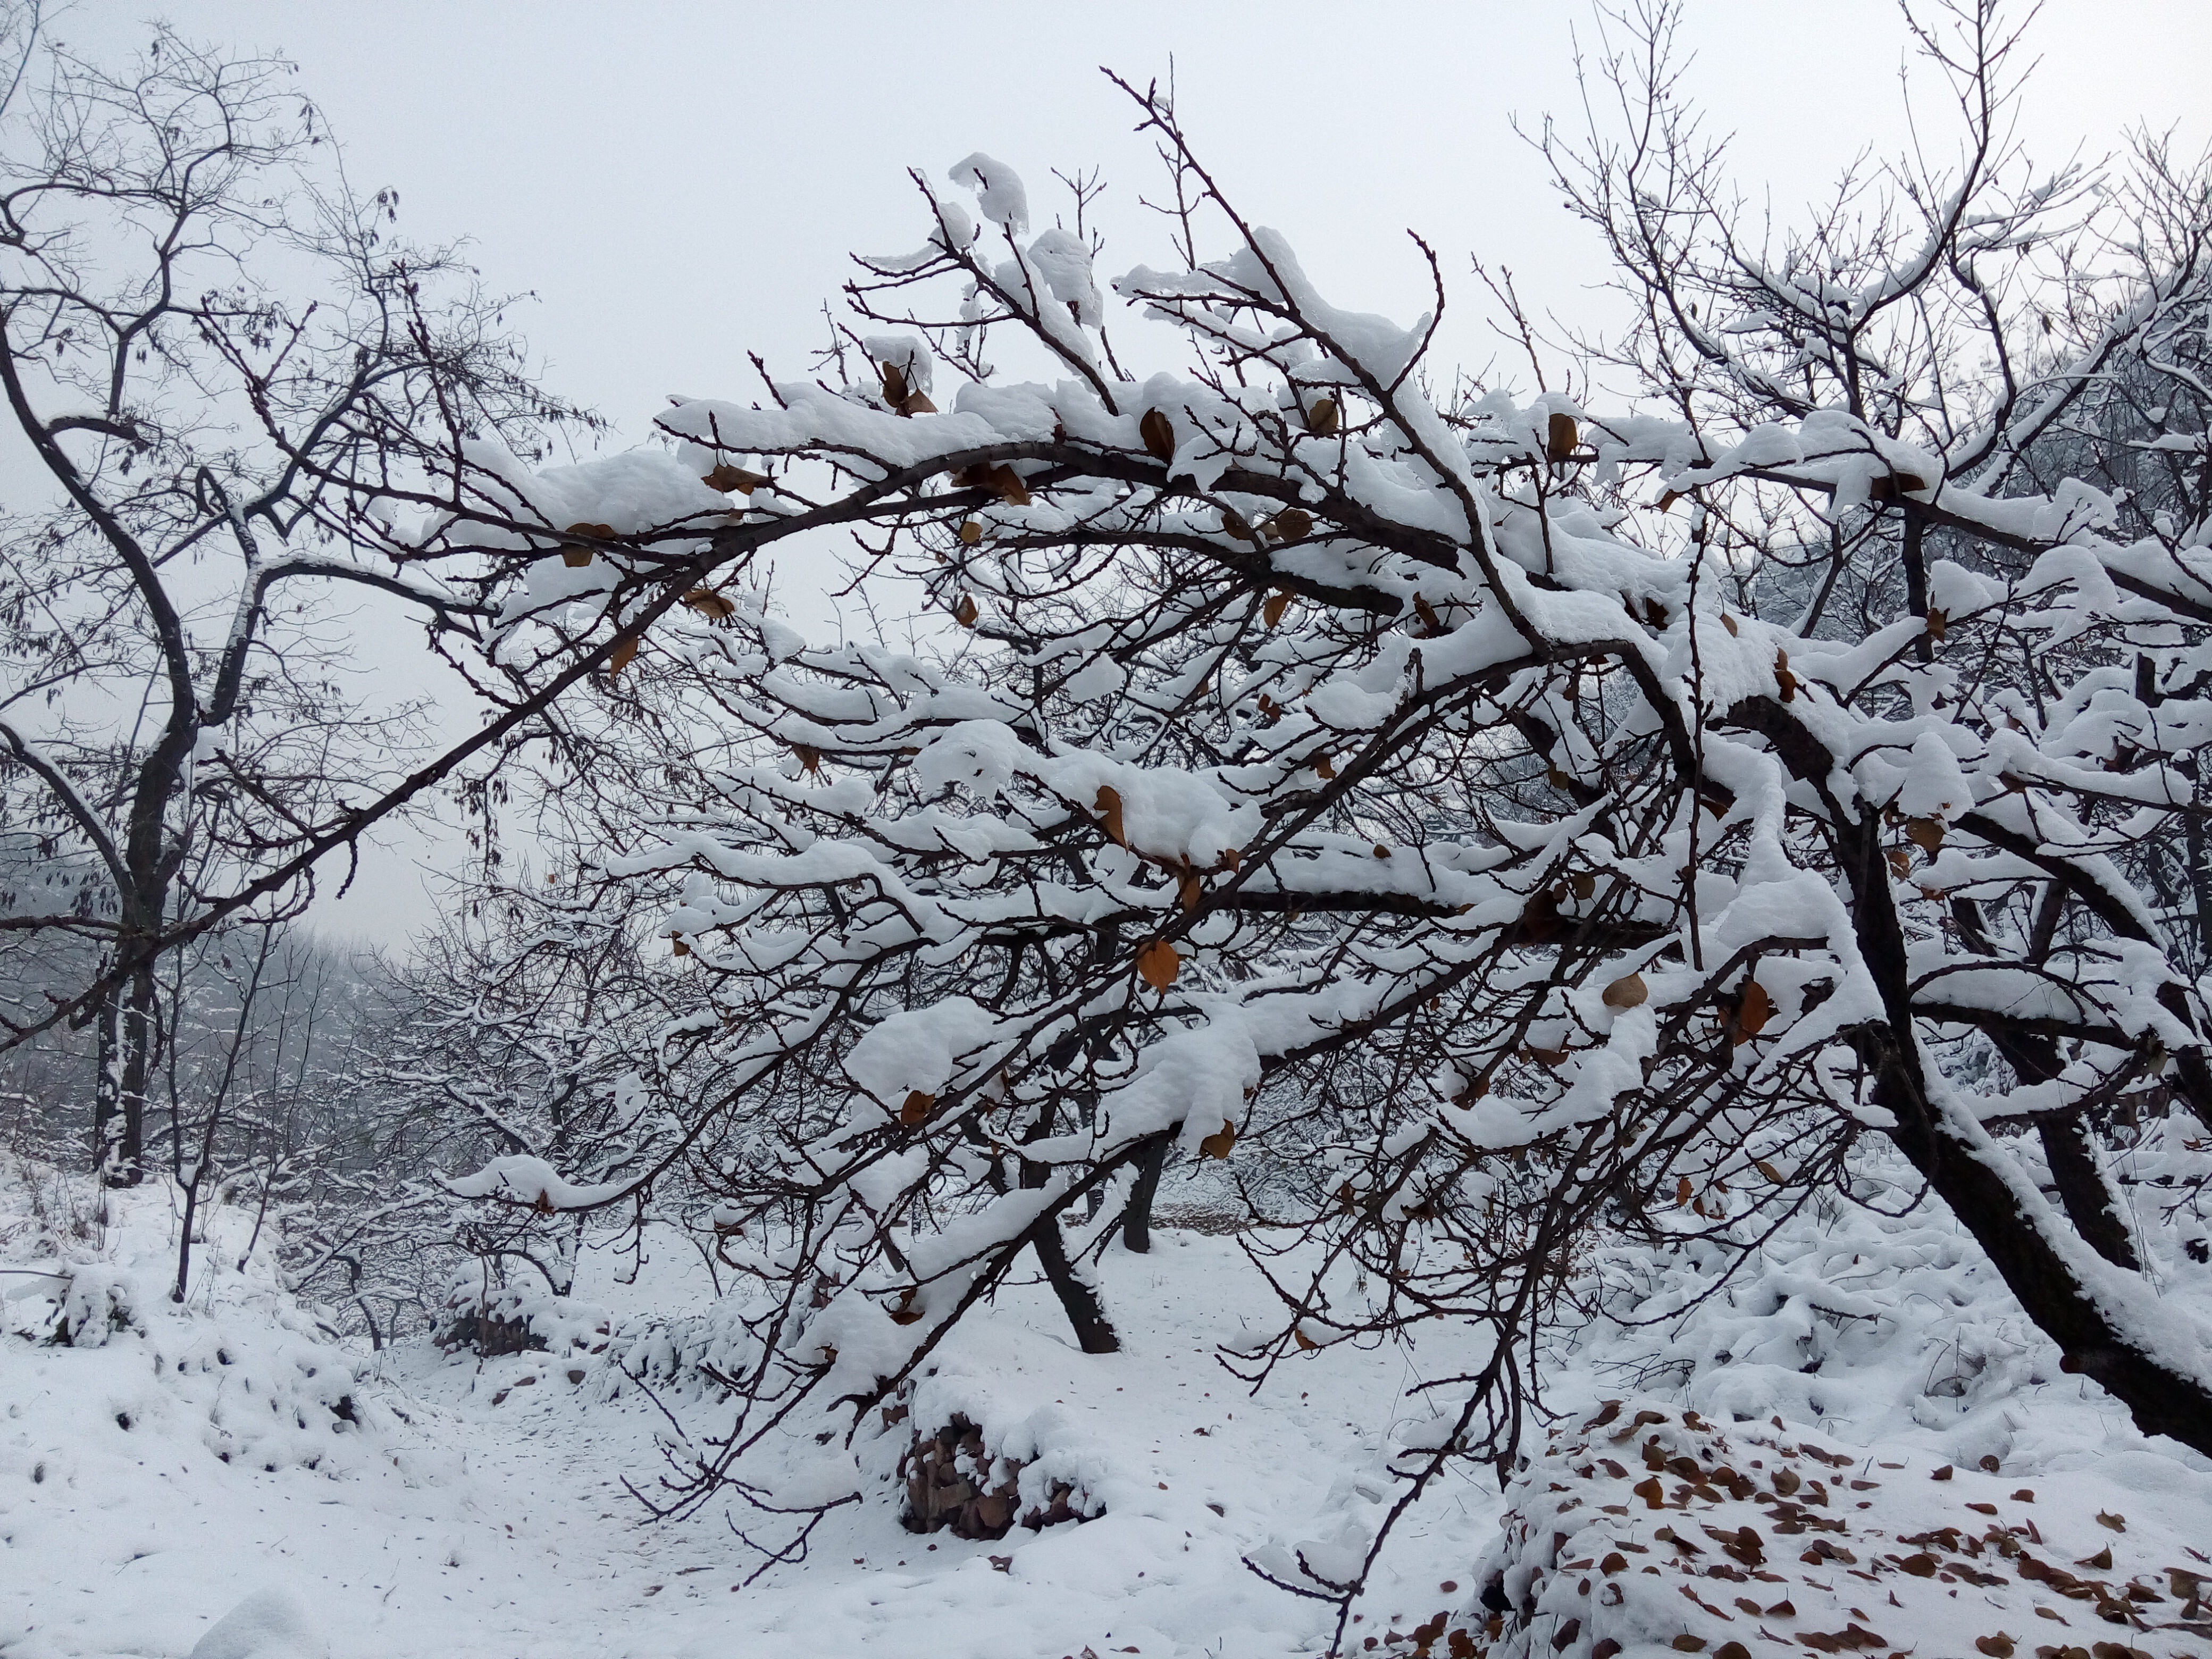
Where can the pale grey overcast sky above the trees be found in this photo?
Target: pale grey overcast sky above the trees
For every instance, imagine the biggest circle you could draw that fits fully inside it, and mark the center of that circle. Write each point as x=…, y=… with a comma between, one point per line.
x=680, y=185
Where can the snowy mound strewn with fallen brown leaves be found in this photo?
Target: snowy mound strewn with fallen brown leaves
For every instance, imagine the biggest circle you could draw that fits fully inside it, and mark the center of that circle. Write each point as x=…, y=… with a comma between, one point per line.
x=1651, y=1530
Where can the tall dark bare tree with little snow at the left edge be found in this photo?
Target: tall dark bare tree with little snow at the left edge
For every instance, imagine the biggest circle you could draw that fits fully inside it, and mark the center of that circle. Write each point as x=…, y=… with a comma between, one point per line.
x=244, y=406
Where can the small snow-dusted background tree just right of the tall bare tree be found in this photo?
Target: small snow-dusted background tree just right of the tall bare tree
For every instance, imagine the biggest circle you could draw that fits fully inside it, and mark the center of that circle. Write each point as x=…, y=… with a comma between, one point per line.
x=503, y=1074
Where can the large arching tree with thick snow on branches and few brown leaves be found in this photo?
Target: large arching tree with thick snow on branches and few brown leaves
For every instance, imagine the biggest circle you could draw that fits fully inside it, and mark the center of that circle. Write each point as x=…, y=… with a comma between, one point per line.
x=1552, y=815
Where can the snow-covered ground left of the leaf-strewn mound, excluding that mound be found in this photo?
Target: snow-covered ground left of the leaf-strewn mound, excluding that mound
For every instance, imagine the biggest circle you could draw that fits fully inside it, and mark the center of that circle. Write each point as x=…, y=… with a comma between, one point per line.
x=477, y=1507
